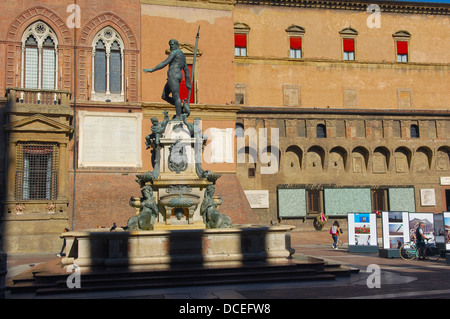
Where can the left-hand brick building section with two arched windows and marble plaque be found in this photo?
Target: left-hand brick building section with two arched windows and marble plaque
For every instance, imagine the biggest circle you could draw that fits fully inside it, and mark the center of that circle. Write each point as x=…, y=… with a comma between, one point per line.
x=77, y=108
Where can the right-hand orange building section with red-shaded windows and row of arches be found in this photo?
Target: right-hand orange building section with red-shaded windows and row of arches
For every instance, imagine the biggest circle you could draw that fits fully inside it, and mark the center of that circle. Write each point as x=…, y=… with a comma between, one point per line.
x=359, y=93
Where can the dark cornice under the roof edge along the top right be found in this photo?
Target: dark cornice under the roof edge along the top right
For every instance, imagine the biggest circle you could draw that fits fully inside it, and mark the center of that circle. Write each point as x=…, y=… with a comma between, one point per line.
x=359, y=5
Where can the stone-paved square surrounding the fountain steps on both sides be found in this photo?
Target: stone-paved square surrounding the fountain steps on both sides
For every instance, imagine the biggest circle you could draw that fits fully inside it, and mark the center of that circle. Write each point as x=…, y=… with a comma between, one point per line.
x=398, y=279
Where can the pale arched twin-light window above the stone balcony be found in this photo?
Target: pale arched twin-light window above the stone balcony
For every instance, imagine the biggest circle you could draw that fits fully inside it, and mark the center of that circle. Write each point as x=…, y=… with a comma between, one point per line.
x=39, y=68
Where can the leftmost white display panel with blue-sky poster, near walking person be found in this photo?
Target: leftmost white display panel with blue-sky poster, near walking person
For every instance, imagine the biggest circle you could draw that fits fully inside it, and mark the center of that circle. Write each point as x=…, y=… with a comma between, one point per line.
x=362, y=232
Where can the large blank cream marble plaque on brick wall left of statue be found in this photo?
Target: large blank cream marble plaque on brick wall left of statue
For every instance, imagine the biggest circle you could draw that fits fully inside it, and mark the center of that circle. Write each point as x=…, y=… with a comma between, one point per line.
x=110, y=139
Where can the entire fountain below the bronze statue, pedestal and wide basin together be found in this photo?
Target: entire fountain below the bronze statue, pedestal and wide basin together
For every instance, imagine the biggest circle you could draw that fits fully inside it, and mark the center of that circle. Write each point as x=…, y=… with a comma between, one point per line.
x=177, y=221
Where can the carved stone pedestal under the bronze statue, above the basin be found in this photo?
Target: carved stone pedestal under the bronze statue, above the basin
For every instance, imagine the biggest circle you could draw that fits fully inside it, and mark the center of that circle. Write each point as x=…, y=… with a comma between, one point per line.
x=177, y=187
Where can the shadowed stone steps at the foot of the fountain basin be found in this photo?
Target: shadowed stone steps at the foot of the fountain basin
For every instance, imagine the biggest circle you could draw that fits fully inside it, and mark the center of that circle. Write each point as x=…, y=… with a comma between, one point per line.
x=47, y=283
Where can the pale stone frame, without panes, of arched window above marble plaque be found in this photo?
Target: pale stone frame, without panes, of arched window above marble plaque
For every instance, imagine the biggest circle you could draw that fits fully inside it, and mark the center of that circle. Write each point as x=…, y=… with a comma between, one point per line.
x=108, y=36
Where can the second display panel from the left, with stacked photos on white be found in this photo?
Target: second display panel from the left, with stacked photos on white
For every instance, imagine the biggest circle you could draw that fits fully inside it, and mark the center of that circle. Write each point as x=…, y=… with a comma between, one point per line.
x=395, y=229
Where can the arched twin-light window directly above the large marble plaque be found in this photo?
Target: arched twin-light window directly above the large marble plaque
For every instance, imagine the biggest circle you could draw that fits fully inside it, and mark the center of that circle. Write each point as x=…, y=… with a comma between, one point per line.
x=107, y=70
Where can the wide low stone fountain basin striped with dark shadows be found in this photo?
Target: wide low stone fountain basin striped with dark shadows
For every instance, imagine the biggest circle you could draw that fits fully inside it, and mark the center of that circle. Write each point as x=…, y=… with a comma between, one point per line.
x=163, y=249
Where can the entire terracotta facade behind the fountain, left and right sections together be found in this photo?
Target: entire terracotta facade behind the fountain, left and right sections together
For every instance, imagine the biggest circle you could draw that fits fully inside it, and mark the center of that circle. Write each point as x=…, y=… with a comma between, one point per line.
x=354, y=100
